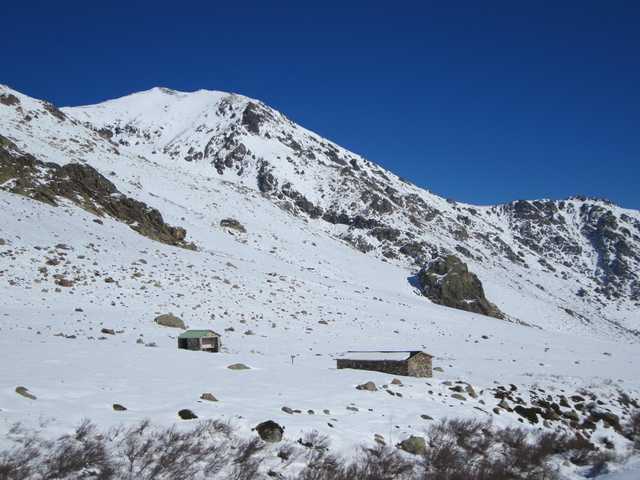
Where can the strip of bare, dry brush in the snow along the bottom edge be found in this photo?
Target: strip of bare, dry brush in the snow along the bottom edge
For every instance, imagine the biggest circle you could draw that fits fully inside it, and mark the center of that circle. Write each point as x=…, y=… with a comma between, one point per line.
x=456, y=450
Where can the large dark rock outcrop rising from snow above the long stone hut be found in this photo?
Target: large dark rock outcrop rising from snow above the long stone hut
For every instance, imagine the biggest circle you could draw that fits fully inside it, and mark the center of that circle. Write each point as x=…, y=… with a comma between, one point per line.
x=447, y=281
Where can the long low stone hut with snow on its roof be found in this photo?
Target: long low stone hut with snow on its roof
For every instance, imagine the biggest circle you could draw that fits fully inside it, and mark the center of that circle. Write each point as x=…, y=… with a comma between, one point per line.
x=410, y=363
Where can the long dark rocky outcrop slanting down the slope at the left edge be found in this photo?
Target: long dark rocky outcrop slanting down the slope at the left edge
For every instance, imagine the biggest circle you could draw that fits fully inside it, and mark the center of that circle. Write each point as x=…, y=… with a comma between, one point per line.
x=87, y=188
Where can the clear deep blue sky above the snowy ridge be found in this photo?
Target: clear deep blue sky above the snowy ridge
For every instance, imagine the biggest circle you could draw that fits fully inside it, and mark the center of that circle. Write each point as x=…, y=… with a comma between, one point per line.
x=482, y=102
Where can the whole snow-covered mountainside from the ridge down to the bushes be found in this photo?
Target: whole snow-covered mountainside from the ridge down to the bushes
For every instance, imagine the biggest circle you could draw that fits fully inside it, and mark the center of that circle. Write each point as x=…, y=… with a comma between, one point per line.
x=294, y=284
